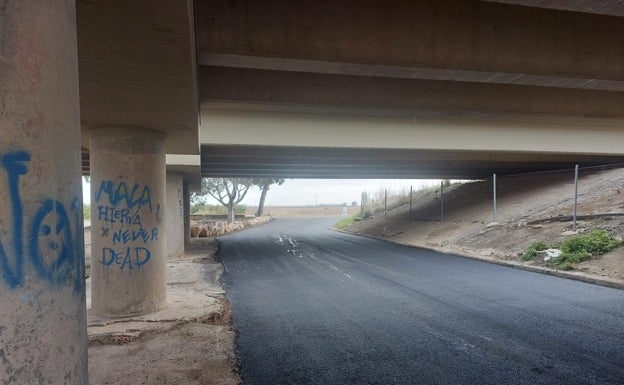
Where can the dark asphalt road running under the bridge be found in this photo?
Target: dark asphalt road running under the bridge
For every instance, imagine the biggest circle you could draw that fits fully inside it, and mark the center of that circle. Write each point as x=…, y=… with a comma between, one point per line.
x=314, y=306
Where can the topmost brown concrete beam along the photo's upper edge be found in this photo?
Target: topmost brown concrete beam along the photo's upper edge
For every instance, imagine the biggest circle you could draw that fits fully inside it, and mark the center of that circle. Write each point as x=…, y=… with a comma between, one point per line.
x=473, y=36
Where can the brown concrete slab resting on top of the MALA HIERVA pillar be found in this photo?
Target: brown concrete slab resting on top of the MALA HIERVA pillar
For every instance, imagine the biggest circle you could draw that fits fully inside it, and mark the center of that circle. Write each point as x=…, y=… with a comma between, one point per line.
x=138, y=68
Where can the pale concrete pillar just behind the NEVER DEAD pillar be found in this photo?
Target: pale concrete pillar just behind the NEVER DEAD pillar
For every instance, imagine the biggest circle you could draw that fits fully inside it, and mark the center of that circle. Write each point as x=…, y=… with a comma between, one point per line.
x=175, y=214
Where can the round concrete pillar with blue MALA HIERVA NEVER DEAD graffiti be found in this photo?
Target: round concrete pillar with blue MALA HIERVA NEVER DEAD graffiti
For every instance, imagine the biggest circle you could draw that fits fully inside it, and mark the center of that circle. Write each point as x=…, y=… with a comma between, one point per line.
x=128, y=238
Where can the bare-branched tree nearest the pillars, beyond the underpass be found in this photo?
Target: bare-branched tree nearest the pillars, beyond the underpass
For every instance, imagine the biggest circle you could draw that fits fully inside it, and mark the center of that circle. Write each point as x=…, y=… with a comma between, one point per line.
x=227, y=191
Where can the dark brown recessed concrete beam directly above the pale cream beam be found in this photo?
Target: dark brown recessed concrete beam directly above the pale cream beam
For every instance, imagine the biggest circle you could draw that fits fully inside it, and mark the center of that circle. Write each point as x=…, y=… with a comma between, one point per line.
x=417, y=96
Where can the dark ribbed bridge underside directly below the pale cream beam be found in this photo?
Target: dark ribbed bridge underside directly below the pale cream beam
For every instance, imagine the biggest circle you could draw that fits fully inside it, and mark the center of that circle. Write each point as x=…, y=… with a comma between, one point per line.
x=363, y=163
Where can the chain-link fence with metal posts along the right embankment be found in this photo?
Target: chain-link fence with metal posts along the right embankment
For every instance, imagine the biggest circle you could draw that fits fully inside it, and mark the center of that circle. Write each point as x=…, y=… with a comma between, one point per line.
x=563, y=195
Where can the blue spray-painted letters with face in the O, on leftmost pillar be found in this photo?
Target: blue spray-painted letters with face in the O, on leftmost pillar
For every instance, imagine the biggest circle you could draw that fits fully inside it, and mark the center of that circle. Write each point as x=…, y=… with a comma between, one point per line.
x=51, y=242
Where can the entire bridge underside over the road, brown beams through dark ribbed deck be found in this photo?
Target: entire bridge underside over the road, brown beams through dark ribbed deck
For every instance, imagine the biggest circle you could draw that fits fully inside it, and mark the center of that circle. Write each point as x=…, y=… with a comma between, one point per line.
x=403, y=89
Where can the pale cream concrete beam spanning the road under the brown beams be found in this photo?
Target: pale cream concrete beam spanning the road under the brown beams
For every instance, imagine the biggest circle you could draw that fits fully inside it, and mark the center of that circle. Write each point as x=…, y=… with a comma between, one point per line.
x=539, y=134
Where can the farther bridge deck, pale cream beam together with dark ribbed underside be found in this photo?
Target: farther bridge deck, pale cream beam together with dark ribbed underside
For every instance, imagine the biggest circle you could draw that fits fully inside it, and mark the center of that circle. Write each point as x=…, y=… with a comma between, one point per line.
x=253, y=142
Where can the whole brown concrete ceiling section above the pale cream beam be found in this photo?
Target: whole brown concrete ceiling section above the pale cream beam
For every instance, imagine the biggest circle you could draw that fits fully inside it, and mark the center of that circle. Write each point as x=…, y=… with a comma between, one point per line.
x=454, y=57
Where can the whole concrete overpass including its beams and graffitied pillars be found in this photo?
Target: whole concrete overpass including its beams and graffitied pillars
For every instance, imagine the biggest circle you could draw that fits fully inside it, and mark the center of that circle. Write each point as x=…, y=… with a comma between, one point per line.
x=434, y=88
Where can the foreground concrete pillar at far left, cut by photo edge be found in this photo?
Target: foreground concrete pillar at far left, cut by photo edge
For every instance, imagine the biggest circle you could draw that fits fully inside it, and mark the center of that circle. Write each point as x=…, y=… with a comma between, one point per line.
x=43, y=327
